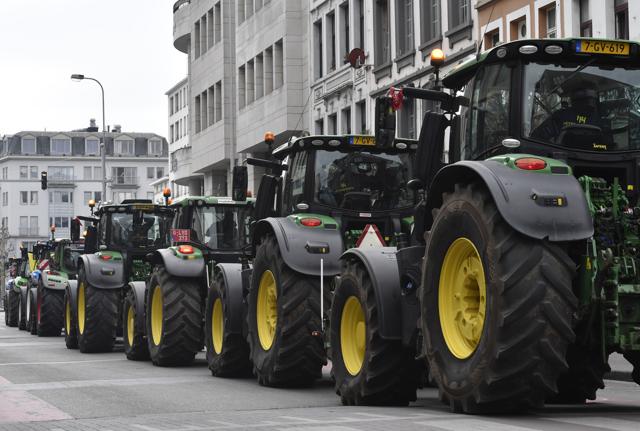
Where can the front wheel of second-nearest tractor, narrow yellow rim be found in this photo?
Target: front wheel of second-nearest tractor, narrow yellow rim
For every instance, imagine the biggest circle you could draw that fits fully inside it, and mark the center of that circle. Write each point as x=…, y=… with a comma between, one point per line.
x=227, y=353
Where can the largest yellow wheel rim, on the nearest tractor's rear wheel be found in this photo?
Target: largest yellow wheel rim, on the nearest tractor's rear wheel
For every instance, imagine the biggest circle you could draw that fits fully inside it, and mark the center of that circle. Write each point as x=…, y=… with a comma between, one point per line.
x=462, y=298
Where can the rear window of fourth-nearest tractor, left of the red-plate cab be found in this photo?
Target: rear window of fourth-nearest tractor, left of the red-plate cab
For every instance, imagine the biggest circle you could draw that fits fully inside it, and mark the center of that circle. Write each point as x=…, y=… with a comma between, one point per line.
x=139, y=229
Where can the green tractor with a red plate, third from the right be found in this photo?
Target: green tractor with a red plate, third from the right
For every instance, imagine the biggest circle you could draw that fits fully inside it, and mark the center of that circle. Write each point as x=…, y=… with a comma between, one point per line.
x=164, y=319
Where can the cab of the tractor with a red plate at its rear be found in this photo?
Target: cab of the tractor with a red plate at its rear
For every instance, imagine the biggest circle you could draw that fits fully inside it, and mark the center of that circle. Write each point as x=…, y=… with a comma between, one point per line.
x=217, y=226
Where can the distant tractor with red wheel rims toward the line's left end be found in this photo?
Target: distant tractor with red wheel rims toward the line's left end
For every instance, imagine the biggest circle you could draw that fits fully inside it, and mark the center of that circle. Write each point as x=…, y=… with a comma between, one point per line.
x=56, y=266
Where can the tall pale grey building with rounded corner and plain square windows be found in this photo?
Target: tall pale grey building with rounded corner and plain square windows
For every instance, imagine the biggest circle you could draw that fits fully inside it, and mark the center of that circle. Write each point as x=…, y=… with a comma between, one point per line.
x=247, y=75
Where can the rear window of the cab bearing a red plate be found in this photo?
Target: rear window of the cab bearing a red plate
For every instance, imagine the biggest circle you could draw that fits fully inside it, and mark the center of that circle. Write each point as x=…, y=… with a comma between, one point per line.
x=222, y=227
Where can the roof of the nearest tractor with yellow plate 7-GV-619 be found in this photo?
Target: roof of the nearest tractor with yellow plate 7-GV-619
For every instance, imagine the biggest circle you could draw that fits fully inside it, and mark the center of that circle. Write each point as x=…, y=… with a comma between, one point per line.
x=600, y=52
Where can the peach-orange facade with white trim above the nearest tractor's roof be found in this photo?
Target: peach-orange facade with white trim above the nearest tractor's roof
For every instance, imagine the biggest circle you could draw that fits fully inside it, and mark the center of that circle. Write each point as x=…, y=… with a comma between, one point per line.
x=506, y=20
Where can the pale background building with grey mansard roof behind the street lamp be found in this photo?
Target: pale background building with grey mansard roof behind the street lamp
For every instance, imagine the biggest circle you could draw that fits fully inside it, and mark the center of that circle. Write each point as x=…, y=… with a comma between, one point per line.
x=72, y=162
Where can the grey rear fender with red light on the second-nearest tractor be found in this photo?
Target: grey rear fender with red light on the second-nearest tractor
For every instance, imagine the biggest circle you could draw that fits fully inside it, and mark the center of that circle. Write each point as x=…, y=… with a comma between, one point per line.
x=299, y=244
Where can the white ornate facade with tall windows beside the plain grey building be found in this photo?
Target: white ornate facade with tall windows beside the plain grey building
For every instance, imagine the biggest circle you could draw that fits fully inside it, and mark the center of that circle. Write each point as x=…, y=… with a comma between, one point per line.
x=397, y=38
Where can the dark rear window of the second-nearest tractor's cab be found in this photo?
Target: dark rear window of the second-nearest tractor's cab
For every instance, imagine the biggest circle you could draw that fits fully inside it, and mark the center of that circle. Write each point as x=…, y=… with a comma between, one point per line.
x=362, y=180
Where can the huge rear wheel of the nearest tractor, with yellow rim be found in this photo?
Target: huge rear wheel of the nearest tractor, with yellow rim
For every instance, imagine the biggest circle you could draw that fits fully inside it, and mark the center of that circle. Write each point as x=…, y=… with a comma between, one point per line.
x=496, y=308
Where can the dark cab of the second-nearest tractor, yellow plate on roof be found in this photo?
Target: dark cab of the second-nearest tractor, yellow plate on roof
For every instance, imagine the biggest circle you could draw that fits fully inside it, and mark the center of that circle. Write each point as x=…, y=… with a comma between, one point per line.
x=342, y=182
